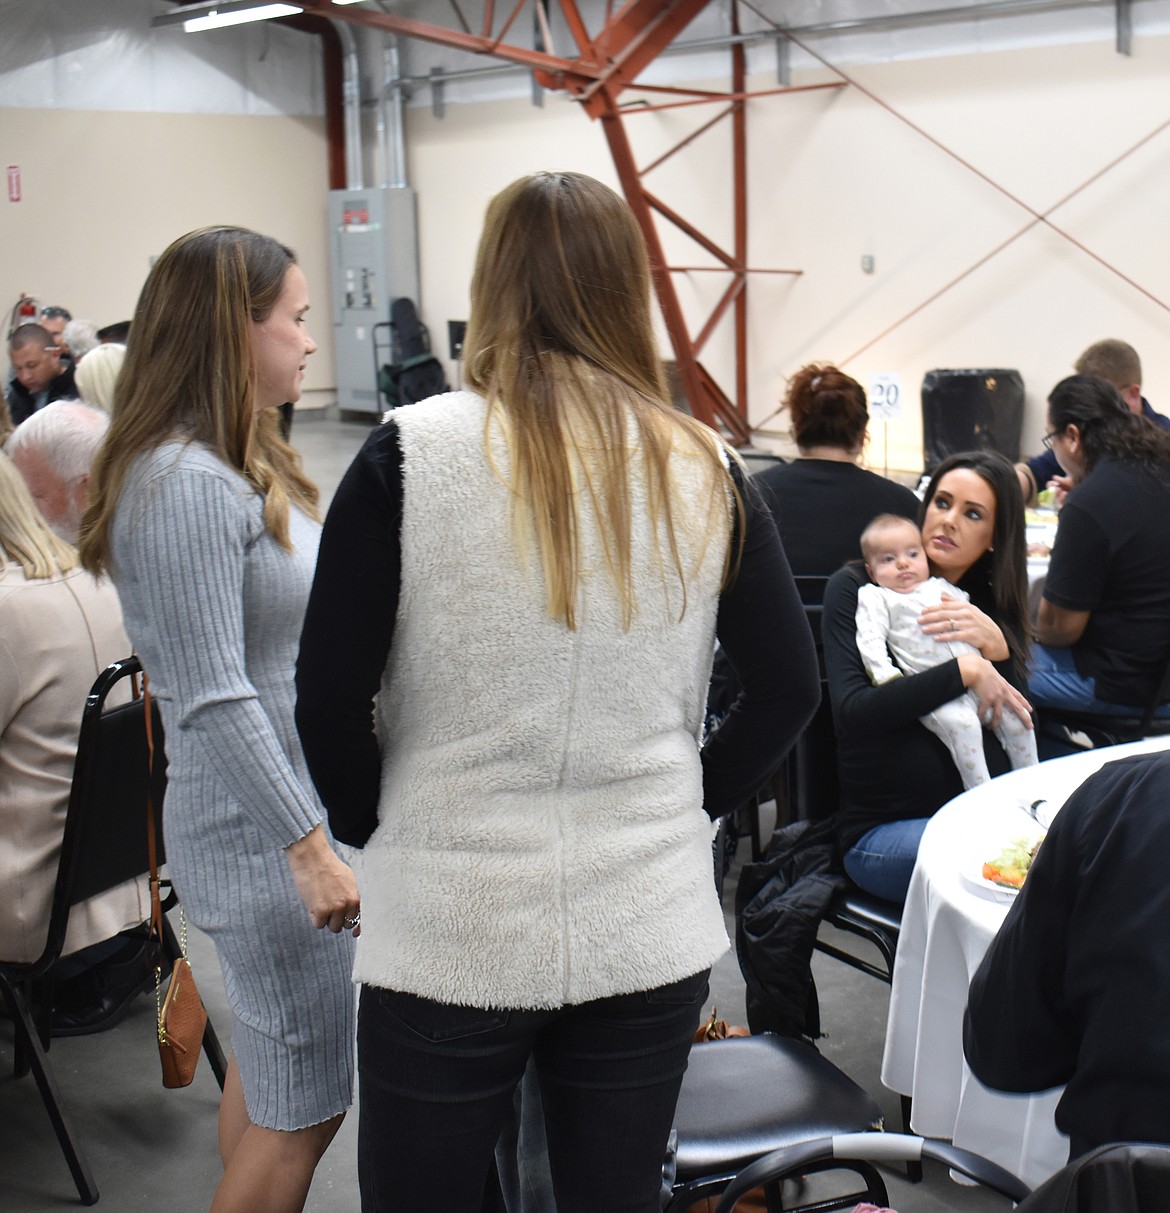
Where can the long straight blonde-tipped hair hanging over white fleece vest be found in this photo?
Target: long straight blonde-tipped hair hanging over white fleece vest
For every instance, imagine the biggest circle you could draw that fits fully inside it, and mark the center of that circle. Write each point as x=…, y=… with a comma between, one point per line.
x=561, y=343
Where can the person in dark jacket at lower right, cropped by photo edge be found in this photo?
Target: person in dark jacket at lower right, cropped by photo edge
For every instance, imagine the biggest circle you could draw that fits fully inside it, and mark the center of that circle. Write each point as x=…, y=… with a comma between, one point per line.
x=1075, y=989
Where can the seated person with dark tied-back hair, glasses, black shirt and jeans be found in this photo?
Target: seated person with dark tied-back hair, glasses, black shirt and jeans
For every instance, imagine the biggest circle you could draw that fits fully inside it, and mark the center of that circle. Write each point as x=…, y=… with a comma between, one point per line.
x=1104, y=622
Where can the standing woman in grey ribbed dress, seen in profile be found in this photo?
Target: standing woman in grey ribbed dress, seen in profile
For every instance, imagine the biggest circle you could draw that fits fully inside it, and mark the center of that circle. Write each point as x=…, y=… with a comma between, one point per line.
x=208, y=527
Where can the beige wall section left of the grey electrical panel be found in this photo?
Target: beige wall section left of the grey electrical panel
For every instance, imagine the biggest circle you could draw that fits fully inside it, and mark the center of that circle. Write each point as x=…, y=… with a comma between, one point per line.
x=104, y=192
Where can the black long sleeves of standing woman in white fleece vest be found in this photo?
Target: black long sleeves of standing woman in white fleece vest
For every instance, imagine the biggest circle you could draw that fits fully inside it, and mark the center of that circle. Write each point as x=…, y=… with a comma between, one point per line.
x=350, y=629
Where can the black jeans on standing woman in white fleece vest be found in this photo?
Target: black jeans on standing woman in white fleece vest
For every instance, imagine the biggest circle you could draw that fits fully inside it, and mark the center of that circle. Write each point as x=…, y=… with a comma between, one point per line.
x=436, y=1086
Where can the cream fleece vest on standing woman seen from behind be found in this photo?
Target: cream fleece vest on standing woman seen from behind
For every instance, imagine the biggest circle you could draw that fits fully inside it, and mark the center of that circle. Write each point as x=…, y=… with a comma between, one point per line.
x=541, y=836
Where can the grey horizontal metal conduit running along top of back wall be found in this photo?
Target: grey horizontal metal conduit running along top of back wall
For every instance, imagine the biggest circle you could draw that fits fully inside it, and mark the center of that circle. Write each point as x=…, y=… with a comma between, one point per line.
x=854, y=26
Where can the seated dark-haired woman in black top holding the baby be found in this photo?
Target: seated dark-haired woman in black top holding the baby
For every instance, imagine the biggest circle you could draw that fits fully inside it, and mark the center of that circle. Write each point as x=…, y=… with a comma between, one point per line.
x=895, y=773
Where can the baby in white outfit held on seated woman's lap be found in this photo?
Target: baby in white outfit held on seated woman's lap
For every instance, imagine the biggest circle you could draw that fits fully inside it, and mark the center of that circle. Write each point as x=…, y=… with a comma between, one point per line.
x=888, y=623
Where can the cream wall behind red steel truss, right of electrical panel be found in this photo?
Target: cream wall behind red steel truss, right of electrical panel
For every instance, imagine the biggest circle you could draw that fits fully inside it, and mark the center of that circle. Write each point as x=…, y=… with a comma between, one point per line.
x=835, y=176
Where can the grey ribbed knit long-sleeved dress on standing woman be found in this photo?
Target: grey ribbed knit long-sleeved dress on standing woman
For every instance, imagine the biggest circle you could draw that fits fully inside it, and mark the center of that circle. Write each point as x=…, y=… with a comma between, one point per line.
x=214, y=607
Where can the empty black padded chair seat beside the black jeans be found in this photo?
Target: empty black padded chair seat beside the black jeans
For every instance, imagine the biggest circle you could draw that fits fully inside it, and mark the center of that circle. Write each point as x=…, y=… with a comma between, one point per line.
x=749, y=1096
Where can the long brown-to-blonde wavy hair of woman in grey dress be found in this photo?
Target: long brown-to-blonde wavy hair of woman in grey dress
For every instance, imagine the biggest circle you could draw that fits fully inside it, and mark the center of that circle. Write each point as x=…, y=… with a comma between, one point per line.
x=189, y=374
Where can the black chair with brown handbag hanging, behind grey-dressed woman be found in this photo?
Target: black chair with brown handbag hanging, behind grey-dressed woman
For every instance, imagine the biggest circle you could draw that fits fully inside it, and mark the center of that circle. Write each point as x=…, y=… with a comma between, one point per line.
x=105, y=845
